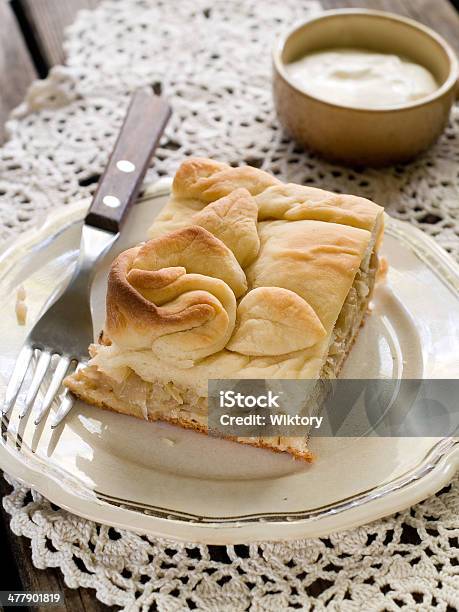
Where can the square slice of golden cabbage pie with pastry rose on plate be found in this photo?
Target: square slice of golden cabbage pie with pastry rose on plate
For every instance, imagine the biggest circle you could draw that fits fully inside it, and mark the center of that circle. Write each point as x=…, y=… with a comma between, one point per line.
x=244, y=277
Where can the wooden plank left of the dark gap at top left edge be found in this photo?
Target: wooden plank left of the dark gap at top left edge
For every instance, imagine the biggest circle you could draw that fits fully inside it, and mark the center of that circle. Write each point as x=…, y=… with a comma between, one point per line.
x=16, y=68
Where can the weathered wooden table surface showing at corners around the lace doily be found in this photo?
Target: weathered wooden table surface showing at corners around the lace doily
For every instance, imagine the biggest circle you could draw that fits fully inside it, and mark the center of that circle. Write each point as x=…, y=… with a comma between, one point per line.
x=31, y=35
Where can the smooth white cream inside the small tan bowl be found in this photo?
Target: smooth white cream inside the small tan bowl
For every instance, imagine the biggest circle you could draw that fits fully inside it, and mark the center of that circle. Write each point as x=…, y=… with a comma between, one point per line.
x=360, y=78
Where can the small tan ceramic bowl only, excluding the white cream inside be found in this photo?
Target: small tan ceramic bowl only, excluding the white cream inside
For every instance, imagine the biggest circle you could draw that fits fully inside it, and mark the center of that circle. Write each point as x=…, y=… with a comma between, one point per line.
x=365, y=136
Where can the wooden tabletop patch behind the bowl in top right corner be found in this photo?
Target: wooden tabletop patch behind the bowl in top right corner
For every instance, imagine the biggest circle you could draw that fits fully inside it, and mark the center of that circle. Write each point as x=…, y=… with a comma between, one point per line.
x=439, y=15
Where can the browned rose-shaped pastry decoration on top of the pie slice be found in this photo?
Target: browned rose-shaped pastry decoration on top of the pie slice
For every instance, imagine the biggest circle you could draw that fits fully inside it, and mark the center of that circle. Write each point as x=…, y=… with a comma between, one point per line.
x=178, y=289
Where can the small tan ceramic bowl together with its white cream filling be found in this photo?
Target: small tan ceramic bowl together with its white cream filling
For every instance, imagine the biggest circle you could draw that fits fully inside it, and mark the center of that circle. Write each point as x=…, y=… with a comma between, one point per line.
x=364, y=87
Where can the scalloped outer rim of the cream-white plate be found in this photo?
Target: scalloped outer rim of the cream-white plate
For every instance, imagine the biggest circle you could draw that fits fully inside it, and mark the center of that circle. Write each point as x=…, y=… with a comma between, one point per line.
x=425, y=479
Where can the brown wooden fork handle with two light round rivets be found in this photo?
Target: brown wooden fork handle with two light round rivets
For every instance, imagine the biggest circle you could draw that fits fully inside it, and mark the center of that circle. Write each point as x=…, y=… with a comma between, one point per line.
x=119, y=185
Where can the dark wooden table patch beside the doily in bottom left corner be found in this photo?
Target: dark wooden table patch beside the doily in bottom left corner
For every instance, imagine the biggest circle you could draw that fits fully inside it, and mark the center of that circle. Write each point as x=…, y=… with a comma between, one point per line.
x=18, y=571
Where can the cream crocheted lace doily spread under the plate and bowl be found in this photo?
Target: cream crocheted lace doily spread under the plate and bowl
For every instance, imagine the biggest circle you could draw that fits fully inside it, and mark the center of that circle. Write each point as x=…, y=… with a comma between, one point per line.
x=212, y=59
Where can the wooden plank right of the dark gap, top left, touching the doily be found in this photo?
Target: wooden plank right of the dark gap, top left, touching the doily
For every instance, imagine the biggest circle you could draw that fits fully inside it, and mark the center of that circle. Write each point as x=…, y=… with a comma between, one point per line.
x=48, y=19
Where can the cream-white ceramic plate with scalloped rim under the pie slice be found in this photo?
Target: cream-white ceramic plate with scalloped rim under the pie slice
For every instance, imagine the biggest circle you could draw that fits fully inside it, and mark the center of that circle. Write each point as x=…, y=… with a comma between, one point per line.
x=158, y=479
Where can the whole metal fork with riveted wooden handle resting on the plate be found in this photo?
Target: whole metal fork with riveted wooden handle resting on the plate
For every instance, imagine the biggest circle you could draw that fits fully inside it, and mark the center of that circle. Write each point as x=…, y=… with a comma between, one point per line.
x=65, y=329
